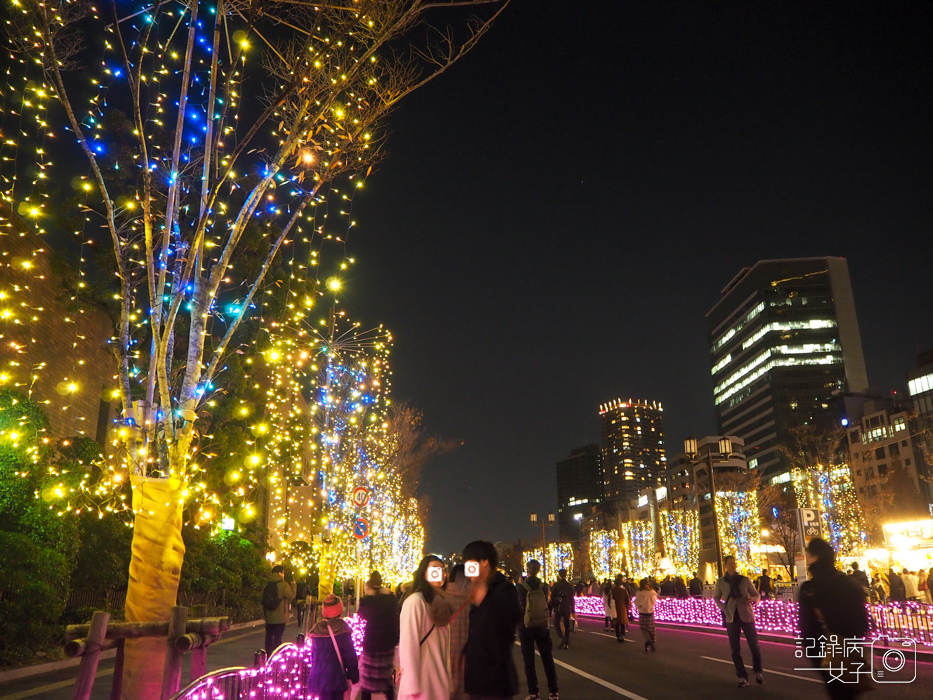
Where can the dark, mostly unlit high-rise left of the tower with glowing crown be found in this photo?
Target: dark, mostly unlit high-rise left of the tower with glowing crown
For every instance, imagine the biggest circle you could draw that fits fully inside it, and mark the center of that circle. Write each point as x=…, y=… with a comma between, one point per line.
x=579, y=488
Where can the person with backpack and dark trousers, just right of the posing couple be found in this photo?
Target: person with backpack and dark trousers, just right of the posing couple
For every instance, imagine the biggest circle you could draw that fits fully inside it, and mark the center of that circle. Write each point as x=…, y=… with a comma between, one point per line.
x=533, y=631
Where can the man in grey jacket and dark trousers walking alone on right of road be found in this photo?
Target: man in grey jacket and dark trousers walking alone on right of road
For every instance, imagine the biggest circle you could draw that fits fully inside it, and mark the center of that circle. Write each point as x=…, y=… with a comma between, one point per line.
x=735, y=595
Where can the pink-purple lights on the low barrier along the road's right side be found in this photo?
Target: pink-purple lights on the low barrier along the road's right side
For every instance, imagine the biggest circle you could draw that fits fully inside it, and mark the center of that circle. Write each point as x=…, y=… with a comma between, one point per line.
x=896, y=620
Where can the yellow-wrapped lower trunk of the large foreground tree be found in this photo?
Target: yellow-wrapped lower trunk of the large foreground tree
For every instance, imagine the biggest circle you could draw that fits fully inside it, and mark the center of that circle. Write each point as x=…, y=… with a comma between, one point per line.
x=155, y=569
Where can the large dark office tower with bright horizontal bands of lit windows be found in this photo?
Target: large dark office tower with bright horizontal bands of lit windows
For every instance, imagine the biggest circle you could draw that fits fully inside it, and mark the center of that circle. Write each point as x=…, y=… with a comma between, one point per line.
x=783, y=339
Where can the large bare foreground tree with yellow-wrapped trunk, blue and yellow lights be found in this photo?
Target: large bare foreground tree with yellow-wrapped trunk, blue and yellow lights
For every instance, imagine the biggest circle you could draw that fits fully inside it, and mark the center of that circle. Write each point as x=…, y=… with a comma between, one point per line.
x=313, y=83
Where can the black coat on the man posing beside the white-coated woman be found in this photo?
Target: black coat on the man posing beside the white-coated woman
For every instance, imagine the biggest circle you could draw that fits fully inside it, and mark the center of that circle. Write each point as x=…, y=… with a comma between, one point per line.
x=490, y=670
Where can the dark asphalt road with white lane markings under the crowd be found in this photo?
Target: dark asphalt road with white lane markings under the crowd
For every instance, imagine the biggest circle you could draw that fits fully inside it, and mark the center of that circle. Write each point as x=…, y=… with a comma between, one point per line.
x=687, y=665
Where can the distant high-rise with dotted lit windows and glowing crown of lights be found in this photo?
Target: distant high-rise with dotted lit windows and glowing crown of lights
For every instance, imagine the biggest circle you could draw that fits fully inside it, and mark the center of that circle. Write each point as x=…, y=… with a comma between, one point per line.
x=632, y=448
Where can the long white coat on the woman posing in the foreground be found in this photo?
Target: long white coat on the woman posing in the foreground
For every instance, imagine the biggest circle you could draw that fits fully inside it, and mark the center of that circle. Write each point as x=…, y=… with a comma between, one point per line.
x=424, y=665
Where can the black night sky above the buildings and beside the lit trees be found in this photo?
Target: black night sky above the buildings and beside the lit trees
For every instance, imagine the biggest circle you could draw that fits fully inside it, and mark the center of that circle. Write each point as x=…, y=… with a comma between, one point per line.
x=560, y=210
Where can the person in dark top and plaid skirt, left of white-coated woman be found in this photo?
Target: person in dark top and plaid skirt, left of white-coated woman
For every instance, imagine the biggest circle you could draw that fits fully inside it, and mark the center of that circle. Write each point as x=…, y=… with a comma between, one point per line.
x=380, y=612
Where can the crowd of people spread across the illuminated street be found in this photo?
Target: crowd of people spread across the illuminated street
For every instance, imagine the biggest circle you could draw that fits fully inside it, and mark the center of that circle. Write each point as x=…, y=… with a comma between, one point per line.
x=448, y=635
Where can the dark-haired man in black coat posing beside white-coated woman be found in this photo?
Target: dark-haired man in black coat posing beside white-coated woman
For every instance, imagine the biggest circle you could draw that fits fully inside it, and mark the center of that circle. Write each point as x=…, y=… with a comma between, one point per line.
x=489, y=671
